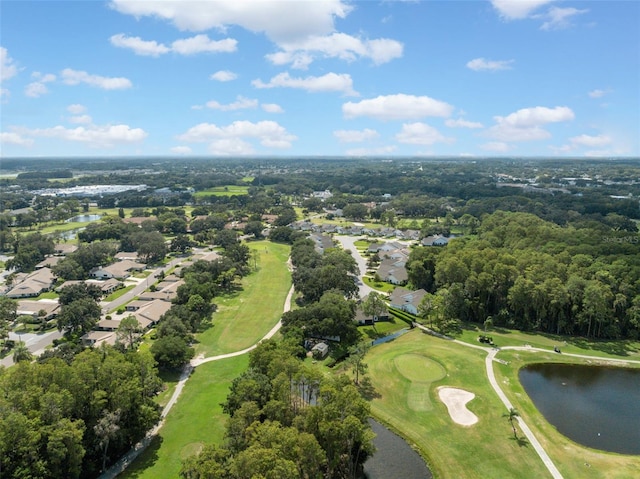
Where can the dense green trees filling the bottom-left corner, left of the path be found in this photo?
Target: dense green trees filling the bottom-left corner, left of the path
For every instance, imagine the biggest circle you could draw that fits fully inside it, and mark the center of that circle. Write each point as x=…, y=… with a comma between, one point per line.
x=69, y=419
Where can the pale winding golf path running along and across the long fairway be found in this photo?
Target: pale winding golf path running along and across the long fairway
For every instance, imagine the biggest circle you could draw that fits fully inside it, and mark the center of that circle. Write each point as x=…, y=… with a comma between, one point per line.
x=128, y=458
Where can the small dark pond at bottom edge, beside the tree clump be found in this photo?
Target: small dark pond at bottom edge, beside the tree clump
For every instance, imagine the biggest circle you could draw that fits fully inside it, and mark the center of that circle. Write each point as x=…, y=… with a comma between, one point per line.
x=393, y=457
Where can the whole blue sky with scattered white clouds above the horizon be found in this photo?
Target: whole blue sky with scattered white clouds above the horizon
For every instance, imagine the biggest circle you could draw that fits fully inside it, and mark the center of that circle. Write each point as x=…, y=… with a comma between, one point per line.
x=311, y=77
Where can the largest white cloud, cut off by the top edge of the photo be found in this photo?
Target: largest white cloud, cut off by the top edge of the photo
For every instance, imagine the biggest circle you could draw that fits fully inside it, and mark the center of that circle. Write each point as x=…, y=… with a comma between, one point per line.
x=280, y=21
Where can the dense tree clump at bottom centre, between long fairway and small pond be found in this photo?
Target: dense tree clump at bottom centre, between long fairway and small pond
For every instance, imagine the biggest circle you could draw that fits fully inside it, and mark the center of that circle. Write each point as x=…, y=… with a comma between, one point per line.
x=287, y=420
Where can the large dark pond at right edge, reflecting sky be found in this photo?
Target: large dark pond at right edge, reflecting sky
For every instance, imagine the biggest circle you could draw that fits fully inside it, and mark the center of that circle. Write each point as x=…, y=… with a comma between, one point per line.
x=595, y=406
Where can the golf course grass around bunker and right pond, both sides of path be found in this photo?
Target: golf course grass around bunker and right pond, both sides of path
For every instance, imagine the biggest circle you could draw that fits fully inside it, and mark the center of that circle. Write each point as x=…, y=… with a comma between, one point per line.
x=405, y=374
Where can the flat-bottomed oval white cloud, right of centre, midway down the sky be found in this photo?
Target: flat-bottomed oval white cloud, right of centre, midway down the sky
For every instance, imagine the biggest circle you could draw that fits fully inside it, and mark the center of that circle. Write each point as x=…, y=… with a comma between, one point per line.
x=397, y=107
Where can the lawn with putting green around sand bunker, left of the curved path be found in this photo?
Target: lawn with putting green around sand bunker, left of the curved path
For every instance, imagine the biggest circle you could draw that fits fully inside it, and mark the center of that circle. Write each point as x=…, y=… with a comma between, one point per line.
x=405, y=374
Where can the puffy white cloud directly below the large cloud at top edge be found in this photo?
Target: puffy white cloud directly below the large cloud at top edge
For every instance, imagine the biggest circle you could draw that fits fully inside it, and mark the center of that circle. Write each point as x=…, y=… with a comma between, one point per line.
x=337, y=45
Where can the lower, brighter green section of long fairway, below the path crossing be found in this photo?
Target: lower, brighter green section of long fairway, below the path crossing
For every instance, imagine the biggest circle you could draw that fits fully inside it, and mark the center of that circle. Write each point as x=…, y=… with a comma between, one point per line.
x=196, y=419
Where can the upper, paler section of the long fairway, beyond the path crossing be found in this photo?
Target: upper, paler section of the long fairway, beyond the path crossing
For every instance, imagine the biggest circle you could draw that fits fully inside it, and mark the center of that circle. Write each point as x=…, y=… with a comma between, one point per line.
x=243, y=318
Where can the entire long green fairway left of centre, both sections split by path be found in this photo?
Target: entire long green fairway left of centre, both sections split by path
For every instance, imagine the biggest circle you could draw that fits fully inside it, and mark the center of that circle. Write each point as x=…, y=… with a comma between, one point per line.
x=241, y=320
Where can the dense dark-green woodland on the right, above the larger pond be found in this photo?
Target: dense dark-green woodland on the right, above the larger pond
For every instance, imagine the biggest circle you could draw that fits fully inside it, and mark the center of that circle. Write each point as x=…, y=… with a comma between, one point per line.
x=527, y=273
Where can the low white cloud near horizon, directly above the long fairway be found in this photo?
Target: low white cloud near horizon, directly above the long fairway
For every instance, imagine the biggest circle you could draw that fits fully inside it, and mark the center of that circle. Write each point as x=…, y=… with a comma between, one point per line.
x=268, y=133
